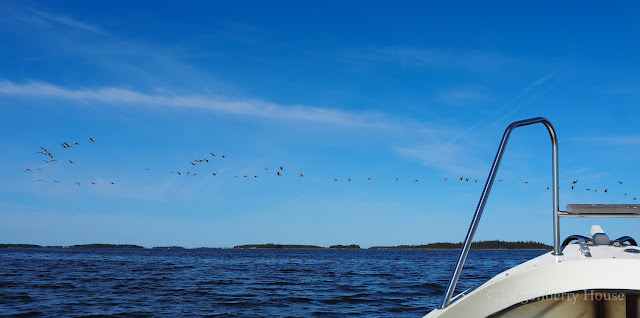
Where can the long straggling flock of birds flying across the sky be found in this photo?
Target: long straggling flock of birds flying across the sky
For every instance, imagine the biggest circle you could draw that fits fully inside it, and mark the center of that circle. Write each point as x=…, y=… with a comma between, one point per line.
x=278, y=171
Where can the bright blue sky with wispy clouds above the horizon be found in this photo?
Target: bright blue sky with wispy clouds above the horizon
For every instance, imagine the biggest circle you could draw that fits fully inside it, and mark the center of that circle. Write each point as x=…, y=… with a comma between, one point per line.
x=332, y=90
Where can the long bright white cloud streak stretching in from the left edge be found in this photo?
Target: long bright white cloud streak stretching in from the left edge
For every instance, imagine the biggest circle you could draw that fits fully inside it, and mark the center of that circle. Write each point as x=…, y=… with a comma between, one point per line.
x=243, y=107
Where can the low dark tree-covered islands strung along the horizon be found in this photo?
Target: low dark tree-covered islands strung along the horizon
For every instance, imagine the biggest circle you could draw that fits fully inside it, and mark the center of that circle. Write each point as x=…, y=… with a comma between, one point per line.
x=480, y=245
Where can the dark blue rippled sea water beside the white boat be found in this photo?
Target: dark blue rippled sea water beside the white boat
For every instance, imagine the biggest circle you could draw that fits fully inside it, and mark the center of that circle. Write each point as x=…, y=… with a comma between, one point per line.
x=235, y=283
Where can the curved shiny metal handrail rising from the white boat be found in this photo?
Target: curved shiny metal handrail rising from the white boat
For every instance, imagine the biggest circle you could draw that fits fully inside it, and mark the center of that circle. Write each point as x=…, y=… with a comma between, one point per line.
x=485, y=194
